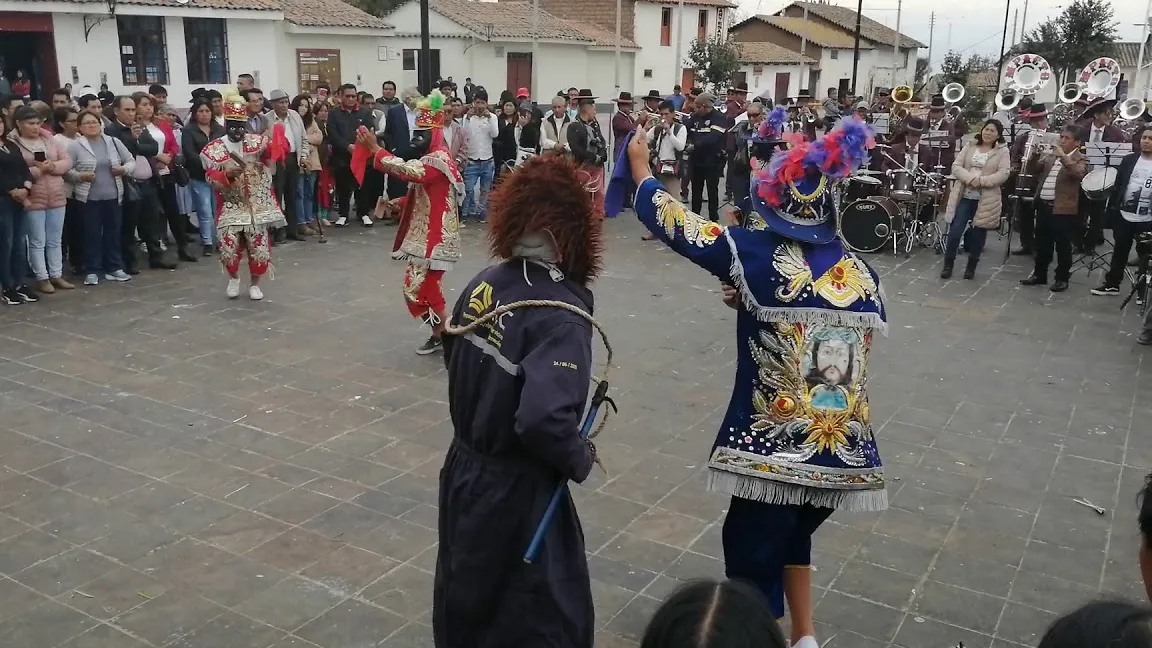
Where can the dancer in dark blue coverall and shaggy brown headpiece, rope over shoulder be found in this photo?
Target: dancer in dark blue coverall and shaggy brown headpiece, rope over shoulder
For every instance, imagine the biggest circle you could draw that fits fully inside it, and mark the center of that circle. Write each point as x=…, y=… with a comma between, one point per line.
x=518, y=387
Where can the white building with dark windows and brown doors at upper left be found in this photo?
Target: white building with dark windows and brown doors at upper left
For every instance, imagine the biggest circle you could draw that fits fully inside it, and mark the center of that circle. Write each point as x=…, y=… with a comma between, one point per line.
x=186, y=44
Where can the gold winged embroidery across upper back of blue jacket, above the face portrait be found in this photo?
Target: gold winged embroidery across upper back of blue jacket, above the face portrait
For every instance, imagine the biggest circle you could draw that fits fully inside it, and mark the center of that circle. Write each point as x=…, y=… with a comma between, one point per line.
x=843, y=285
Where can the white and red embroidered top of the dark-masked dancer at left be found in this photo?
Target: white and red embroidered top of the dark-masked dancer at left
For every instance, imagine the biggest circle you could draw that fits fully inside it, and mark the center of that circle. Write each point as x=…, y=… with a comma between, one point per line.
x=248, y=205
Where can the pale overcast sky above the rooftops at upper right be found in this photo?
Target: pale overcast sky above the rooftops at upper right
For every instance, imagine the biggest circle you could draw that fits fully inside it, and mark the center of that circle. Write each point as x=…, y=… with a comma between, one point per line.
x=972, y=27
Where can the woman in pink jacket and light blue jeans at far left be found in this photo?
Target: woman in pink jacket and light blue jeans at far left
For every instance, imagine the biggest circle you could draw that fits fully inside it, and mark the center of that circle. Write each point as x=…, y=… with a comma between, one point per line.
x=47, y=201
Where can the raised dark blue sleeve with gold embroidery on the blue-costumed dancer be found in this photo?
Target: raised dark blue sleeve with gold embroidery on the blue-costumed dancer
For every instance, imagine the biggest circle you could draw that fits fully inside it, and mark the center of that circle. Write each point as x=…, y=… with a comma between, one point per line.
x=687, y=233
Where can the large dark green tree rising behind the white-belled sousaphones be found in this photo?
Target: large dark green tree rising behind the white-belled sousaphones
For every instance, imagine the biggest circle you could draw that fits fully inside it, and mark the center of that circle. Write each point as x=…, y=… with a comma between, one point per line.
x=1086, y=31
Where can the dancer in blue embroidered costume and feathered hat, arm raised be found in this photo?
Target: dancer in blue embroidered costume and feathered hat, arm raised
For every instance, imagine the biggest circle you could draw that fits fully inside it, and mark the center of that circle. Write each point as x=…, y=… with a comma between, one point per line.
x=797, y=442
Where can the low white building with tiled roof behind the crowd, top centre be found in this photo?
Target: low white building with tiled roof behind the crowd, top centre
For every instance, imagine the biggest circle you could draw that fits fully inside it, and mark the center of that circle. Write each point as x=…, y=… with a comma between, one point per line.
x=491, y=43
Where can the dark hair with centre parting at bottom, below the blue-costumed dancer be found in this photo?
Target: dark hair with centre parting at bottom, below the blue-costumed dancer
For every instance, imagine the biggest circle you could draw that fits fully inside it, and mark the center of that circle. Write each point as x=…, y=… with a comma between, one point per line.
x=709, y=614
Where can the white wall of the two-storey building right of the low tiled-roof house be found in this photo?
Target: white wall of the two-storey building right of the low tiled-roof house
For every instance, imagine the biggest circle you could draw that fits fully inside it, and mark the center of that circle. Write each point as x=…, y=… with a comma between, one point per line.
x=662, y=61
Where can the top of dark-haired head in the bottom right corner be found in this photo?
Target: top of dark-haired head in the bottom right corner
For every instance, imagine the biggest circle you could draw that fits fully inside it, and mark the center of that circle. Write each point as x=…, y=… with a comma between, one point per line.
x=1116, y=624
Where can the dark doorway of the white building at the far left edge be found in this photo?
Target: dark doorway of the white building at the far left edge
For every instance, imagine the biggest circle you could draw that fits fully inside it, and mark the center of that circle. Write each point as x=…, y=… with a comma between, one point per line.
x=27, y=46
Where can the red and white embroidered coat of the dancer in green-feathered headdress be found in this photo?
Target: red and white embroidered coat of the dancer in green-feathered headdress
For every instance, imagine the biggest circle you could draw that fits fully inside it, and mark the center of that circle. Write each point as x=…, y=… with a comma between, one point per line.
x=429, y=224
